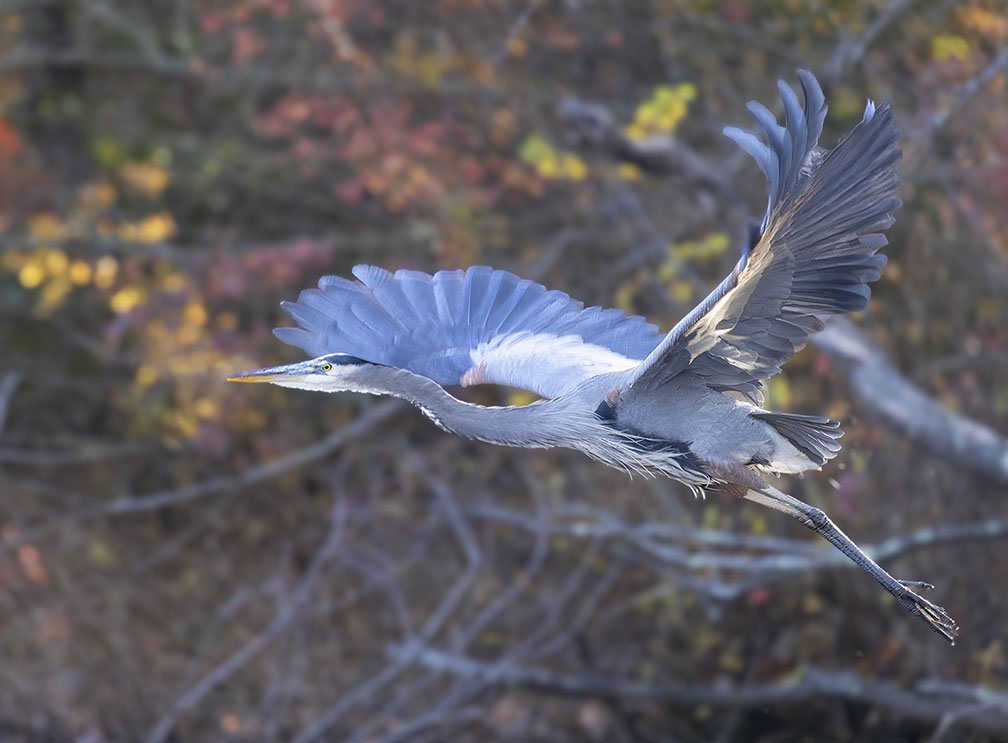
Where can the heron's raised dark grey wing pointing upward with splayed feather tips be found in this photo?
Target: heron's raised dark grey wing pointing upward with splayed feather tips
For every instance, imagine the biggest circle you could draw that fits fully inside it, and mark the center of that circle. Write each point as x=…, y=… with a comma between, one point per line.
x=815, y=256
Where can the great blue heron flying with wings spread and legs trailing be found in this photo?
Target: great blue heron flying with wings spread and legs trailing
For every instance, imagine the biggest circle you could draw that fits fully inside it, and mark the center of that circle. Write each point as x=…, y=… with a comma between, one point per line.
x=687, y=405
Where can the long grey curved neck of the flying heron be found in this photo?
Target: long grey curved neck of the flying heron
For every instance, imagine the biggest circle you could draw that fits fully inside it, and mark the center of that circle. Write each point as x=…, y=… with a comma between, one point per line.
x=542, y=425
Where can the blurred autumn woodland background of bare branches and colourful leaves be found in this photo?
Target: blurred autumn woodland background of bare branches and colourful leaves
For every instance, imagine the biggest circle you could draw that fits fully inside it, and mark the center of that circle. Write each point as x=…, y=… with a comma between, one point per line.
x=186, y=560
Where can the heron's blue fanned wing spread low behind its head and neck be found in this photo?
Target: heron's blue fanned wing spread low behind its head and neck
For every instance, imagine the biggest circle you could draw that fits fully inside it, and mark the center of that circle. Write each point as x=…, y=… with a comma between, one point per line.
x=478, y=326
